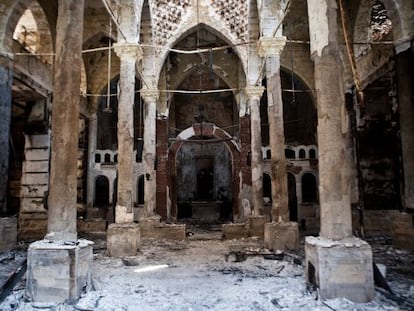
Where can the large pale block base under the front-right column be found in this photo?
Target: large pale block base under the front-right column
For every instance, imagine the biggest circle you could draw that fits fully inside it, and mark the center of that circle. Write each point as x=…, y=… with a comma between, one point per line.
x=340, y=268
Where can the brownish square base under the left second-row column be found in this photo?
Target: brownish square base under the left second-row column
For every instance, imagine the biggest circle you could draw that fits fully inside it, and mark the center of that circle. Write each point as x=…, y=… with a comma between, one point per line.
x=123, y=239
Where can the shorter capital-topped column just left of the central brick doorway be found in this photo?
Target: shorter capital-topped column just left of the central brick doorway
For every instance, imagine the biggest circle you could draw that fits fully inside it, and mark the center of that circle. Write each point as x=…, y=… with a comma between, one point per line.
x=150, y=97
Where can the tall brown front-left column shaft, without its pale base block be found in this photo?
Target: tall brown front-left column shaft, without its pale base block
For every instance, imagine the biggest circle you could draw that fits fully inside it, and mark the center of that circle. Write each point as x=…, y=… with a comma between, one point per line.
x=65, y=122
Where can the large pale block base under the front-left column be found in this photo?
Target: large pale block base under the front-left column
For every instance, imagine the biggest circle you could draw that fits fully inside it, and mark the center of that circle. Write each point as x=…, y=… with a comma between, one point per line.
x=58, y=271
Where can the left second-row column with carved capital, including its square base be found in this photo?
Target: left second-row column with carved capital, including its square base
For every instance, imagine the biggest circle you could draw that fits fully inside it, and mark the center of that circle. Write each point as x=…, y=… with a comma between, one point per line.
x=123, y=236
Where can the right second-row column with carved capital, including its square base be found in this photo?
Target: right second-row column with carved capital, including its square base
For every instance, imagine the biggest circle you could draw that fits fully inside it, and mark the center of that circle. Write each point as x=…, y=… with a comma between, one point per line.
x=280, y=233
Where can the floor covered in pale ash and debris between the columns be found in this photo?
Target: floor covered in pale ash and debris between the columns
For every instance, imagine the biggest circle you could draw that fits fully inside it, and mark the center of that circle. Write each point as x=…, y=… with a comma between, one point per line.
x=204, y=273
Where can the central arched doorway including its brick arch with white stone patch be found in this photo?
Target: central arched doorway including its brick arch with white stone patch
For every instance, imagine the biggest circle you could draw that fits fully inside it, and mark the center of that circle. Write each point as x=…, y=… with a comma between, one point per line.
x=203, y=184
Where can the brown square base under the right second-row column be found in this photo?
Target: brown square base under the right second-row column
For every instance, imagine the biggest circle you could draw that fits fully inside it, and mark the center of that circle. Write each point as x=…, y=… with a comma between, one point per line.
x=281, y=235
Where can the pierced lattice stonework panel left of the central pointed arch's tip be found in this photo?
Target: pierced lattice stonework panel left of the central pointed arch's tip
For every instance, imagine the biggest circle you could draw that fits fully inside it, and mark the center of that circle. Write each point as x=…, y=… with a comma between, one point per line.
x=167, y=15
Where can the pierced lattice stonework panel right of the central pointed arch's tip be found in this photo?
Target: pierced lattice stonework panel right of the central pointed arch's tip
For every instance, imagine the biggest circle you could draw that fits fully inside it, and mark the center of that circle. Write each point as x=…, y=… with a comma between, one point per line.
x=235, y=15
